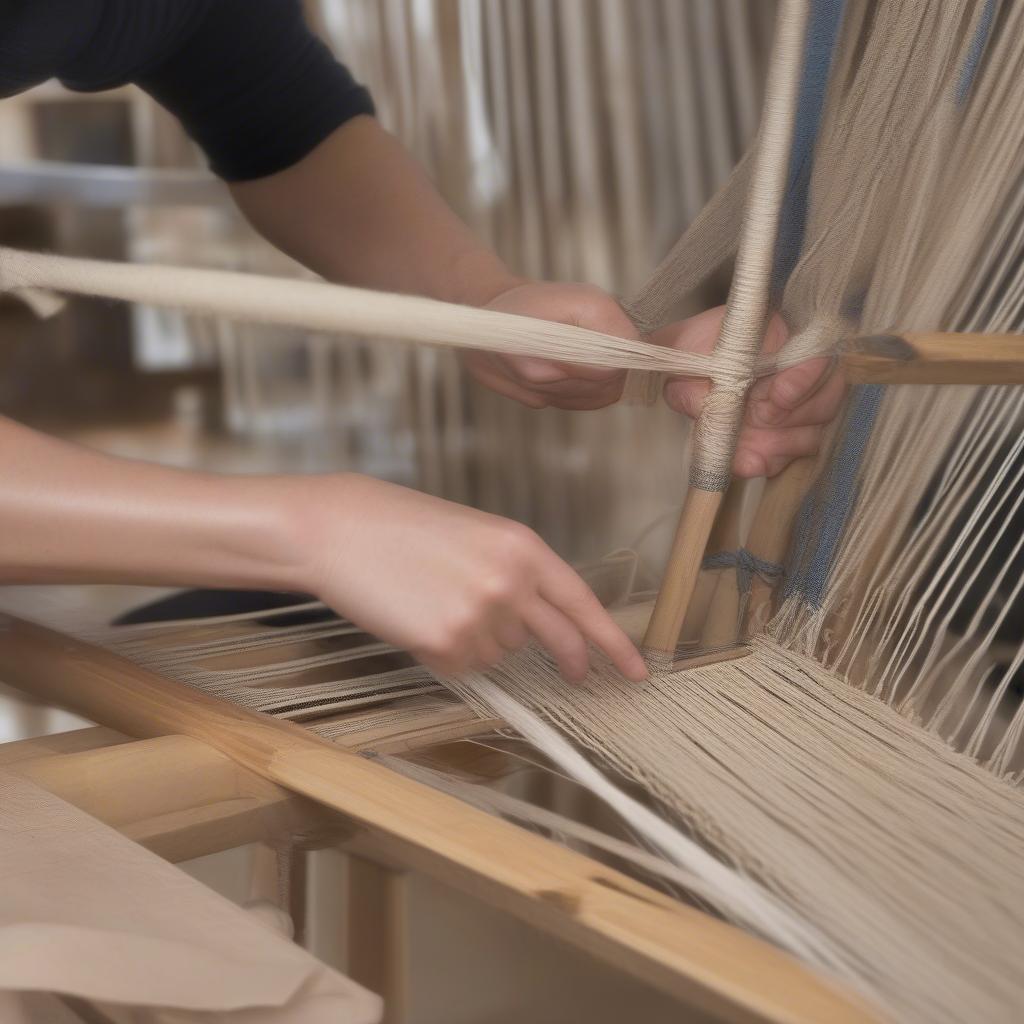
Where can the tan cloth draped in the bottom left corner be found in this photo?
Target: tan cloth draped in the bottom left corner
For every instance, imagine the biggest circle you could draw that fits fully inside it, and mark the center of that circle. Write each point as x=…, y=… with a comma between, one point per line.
x=87, y=913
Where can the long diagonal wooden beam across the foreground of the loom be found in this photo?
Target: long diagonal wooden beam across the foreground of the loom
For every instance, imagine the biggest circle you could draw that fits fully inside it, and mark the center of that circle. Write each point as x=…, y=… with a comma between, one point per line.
x=705, y=963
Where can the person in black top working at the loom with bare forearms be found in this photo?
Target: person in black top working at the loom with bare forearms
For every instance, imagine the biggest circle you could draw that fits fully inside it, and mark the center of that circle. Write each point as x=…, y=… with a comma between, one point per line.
x=295, y=138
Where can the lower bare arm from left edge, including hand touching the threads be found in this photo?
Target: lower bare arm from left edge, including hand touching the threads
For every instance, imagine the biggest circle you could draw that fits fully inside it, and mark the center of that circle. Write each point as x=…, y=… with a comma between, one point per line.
x=456, y=587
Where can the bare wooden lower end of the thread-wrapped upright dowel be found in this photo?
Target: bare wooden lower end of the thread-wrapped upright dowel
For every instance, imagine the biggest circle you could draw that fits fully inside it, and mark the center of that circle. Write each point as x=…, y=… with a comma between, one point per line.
x=696, y=523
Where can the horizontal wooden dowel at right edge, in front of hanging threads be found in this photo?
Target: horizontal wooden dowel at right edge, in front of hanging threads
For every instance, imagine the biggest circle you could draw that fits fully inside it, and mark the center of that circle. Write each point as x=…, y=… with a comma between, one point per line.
x=935, y=359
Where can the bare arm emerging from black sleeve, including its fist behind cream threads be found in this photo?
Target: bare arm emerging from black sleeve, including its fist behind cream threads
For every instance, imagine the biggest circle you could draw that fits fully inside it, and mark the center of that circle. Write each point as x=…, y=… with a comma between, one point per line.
x=359, y=209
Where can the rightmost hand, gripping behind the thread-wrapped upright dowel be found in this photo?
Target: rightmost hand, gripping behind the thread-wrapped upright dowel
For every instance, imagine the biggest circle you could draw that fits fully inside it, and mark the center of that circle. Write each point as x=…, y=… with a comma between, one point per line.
x=787, y=413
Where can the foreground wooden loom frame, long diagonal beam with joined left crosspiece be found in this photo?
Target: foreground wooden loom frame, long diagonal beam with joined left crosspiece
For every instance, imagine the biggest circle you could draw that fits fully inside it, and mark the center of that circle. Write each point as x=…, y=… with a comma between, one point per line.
x=205, y=776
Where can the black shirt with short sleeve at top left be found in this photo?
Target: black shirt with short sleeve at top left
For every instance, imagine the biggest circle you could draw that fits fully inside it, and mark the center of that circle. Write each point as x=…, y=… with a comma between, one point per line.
x=252, y=86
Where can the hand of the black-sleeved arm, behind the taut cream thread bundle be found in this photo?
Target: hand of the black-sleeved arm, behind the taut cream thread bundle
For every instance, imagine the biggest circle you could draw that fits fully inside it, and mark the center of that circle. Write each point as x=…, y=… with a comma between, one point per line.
x=539, y=383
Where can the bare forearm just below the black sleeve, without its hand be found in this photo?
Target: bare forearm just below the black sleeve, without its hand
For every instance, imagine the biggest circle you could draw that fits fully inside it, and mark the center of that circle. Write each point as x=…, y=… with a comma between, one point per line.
x=361, y=210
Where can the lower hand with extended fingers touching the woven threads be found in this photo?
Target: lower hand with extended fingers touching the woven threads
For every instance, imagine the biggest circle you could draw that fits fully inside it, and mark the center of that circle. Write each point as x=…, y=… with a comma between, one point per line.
x=457, y=588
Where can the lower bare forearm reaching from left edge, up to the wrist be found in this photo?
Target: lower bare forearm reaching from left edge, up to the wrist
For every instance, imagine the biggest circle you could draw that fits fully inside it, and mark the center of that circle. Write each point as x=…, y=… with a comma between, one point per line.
x=69, y=515
